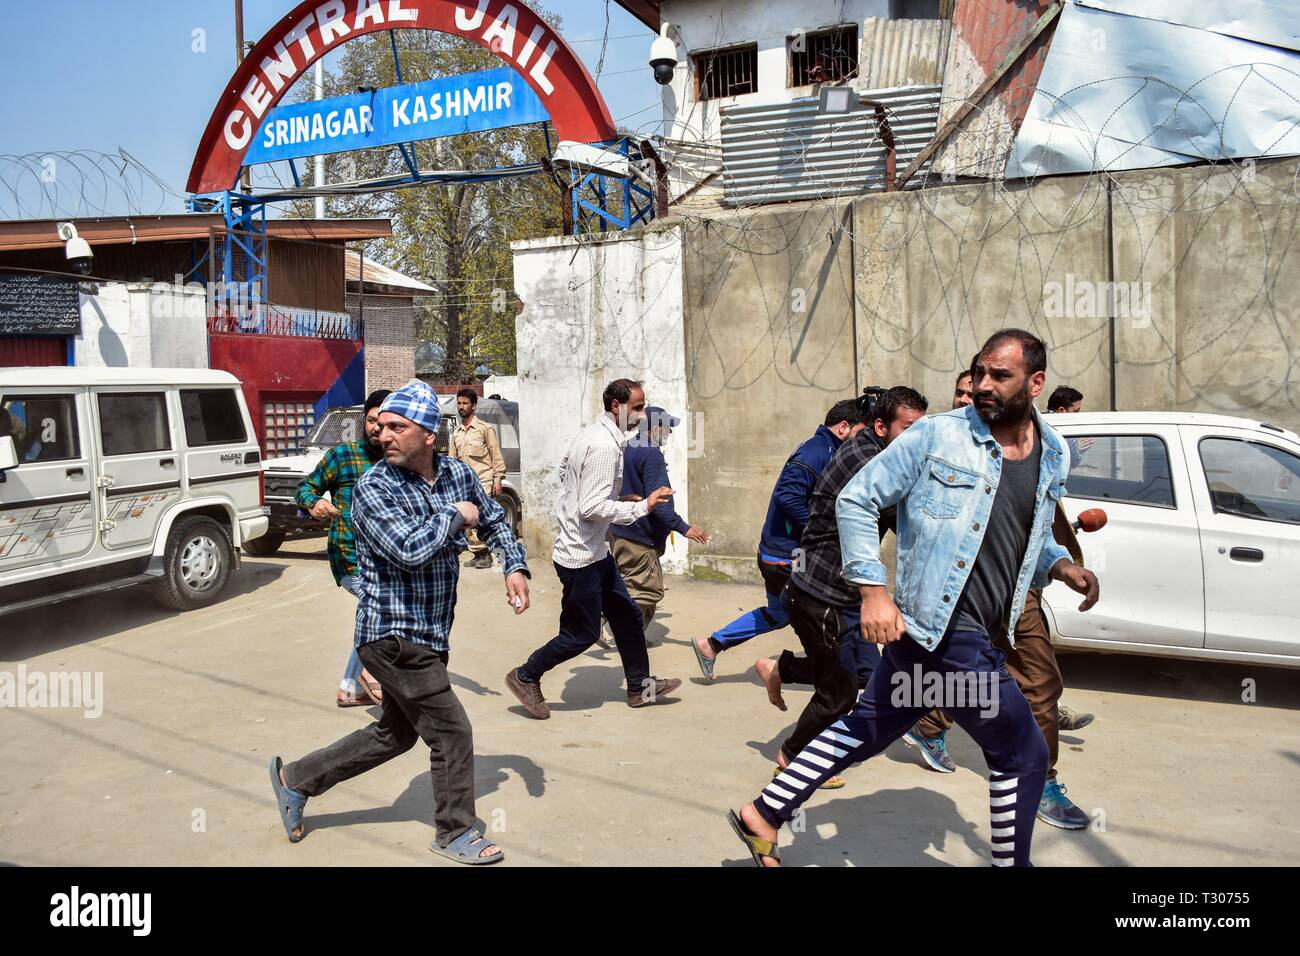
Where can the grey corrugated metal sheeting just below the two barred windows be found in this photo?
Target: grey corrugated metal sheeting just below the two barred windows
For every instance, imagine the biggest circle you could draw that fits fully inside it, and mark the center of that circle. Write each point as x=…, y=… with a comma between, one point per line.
x=787, y=152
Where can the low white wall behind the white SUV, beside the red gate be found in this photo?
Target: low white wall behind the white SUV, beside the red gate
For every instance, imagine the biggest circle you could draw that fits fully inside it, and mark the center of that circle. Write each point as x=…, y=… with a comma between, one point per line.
x=144, y=326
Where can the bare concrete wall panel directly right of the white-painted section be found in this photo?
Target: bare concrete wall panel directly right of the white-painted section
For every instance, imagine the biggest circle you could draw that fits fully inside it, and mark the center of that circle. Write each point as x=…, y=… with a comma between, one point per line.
x=769, y=351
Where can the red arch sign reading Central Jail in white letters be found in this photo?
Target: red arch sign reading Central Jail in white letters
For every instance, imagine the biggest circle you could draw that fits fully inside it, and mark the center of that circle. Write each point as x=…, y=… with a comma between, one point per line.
x=510, y=31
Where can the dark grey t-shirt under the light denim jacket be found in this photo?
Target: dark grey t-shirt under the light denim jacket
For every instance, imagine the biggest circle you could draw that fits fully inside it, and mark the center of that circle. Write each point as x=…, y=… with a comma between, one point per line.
x=986, y=602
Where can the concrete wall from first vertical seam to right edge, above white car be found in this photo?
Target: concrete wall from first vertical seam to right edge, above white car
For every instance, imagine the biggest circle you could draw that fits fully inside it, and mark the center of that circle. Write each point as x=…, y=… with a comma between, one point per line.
x=1210, y=323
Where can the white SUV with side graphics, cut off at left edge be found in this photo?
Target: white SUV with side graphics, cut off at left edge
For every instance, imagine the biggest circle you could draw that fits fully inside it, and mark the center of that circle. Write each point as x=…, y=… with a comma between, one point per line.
x=124, y=477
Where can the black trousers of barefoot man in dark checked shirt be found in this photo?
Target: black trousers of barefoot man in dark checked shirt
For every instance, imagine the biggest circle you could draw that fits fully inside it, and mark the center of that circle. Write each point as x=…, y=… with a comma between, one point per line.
x=831, y=639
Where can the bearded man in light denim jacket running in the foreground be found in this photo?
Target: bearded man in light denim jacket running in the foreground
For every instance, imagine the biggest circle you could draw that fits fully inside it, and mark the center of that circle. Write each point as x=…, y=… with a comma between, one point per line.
x=976, y=492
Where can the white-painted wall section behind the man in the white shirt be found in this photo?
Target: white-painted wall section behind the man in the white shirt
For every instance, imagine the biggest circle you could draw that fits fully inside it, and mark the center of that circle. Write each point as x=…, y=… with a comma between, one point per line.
x=617, y=313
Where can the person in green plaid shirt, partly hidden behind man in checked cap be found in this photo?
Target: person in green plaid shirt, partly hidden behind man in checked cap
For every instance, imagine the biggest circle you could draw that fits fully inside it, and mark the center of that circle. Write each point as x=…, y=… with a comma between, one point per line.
x=337, y=474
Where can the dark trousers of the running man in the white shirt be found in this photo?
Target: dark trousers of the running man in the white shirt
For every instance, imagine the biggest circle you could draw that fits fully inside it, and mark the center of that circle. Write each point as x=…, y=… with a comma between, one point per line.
x=590, y=592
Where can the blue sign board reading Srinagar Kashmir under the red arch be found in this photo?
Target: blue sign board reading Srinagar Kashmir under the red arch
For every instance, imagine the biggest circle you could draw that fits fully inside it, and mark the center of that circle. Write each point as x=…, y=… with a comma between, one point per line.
x=435, y=109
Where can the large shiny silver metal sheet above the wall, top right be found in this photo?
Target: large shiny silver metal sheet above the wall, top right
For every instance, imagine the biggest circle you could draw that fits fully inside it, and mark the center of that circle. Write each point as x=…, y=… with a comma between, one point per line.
x=1159, y=93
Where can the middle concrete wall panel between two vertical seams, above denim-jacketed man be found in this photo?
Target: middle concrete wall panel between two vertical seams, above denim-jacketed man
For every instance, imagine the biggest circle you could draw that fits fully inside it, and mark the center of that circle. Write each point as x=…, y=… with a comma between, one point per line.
x=941, y=270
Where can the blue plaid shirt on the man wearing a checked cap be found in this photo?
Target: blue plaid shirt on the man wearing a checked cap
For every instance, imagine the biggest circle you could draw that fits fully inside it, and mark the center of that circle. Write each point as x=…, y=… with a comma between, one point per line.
x=409, y=540
